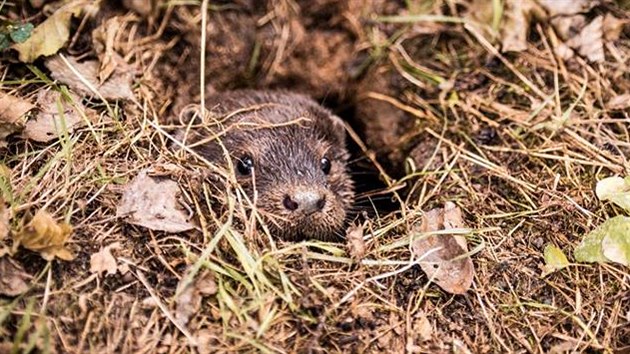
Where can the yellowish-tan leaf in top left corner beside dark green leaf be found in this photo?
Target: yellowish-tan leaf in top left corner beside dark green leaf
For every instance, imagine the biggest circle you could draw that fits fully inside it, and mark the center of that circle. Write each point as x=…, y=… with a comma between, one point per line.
x=49, y=36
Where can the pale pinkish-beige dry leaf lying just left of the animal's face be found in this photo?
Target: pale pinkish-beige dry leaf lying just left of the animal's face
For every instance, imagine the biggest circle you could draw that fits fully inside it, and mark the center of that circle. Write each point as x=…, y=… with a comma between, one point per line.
x=152, y=202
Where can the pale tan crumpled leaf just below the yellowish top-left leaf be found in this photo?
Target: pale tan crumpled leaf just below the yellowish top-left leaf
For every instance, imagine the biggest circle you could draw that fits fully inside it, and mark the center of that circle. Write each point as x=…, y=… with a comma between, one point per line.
x=117, y=86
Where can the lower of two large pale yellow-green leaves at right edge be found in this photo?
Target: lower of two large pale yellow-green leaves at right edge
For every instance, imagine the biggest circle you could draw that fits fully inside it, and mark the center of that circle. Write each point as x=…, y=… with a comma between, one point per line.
x=616, y=231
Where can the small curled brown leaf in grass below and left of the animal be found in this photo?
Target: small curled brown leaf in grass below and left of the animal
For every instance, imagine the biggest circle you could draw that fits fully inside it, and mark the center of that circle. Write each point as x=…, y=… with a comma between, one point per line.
x=189, y=300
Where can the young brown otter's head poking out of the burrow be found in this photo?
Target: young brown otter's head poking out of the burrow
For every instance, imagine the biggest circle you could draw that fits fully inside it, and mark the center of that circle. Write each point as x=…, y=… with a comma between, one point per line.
x=288, y=149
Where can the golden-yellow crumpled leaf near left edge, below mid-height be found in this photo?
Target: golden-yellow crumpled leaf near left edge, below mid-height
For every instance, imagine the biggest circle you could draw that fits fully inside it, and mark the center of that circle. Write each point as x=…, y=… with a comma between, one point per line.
x=46, y=236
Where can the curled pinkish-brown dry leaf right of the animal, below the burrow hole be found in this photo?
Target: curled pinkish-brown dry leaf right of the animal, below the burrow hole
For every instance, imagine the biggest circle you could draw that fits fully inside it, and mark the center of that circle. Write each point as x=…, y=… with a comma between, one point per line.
x=438, y=253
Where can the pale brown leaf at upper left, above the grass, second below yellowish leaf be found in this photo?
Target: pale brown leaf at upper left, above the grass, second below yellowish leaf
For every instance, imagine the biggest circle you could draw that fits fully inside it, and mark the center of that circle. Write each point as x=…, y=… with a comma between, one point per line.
x=50, y=122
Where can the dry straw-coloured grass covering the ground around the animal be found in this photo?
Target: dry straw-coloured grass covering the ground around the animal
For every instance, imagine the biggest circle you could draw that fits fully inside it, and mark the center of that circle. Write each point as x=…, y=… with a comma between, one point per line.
x=518, y=146
